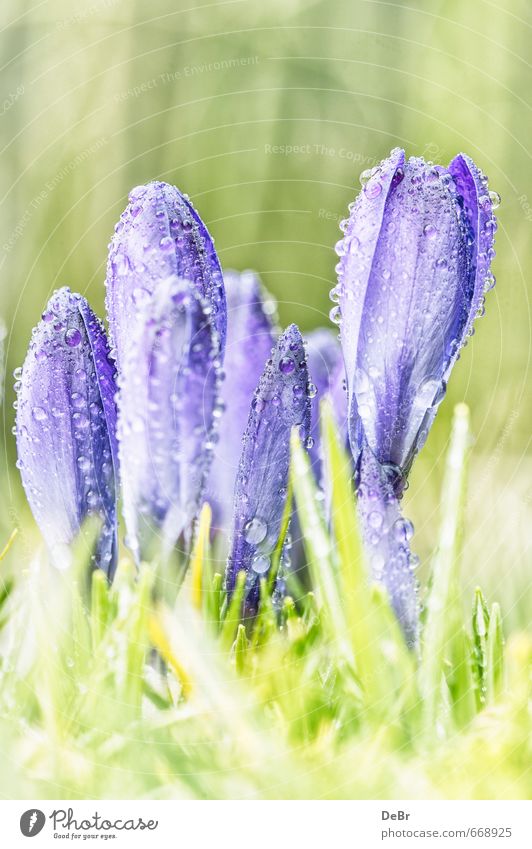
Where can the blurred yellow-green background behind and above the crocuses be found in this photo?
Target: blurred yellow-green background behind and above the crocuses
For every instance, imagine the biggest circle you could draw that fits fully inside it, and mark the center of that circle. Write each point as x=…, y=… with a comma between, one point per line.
x=101, y=95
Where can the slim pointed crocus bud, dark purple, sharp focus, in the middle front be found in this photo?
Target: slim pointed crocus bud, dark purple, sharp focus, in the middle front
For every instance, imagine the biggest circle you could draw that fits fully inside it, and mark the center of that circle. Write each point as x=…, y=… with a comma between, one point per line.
x=281, y=402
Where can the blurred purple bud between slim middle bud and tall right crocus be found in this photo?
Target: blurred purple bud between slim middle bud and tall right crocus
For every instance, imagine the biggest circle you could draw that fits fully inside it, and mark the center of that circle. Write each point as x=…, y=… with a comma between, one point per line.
x=326, y=372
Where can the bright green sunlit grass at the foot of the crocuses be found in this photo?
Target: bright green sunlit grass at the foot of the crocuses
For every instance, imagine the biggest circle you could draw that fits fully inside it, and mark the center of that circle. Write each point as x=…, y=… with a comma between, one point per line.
x=124, y=691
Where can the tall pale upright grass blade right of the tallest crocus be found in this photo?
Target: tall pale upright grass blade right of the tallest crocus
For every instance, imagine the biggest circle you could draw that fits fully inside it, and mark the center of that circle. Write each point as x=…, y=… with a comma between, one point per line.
x=444, y=634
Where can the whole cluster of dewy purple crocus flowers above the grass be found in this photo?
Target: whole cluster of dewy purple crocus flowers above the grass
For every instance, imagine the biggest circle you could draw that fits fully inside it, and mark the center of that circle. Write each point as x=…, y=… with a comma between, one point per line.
x=197, y=393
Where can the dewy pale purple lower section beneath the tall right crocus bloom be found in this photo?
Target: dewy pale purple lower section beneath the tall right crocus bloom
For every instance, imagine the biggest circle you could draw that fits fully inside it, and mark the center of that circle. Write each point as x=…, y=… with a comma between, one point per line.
x=386, y=534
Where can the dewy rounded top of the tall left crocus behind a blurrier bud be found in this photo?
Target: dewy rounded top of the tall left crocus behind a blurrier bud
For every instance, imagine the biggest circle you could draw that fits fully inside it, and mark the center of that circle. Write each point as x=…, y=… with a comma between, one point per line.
x=159, y=235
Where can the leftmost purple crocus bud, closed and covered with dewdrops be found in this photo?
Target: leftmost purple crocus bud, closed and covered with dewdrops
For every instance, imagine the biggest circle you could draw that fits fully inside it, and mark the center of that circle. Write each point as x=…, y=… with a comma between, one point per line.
x=65, y=428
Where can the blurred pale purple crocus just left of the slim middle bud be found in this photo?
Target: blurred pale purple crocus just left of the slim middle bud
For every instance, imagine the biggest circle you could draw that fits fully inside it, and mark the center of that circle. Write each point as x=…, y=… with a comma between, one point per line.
x=250, y=338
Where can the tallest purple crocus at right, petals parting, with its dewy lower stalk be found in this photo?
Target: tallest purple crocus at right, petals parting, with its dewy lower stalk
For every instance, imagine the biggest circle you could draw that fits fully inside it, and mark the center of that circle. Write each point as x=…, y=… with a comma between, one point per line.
x=413, y=272
